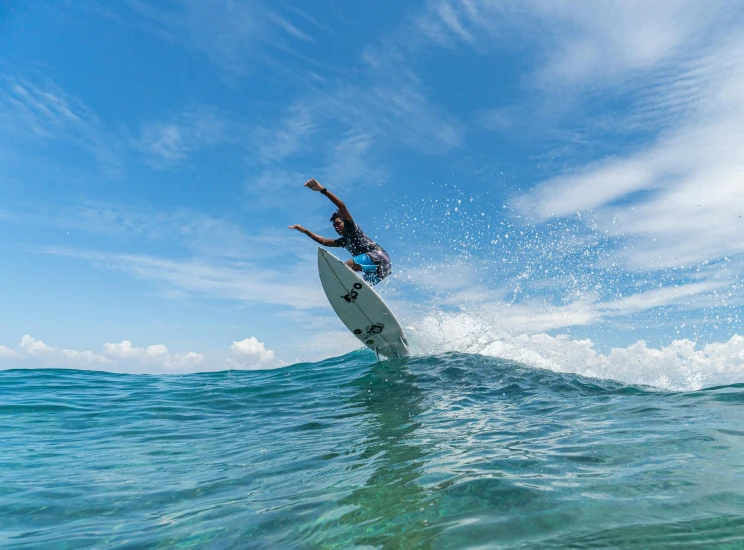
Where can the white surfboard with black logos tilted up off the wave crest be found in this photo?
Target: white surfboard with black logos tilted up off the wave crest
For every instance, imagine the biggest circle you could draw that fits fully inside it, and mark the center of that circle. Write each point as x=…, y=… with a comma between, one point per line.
x=360, y=308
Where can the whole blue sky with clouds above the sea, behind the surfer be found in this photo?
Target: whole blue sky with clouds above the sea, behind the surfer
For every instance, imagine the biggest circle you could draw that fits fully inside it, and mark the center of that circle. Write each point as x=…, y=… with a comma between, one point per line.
x=560, y=172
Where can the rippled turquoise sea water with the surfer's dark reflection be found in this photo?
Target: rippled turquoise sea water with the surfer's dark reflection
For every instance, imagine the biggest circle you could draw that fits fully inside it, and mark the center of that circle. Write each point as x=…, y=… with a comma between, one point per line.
x=454, y=451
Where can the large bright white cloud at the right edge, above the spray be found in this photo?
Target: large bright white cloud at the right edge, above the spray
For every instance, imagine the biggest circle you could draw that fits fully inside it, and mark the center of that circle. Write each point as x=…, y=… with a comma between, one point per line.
x=689, y=178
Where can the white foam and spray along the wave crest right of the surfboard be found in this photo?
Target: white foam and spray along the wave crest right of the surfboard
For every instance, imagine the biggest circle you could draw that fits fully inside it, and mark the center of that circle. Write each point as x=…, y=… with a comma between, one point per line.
x=682, y=365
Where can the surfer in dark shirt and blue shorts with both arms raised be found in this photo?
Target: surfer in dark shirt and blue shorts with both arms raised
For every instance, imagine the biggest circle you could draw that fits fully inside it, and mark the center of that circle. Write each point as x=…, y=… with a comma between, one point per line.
x=367, y=256
